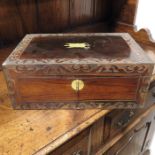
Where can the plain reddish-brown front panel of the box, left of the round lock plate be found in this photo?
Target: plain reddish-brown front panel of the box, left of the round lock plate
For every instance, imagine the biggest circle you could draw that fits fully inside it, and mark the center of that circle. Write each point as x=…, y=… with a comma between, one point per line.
x=45, y=90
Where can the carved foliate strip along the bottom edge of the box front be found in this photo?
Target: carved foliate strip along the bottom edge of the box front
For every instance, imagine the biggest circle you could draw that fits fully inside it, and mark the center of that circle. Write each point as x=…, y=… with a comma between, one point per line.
x=80, y=105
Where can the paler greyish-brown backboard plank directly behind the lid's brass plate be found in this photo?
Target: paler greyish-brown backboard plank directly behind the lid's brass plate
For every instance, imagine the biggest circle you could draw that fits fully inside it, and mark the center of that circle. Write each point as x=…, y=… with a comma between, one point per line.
x=81, y=12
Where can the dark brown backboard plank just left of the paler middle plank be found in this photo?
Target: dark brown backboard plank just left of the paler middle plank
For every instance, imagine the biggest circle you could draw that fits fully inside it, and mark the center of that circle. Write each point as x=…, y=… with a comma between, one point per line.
x=53, y=15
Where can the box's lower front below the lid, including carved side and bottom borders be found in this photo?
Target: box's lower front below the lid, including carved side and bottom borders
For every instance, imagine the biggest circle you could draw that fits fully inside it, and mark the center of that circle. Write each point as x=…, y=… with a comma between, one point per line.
x=75, y=92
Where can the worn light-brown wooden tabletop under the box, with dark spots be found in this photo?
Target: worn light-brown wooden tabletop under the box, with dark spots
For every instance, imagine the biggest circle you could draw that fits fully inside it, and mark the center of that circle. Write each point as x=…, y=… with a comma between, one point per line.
x=25, y=132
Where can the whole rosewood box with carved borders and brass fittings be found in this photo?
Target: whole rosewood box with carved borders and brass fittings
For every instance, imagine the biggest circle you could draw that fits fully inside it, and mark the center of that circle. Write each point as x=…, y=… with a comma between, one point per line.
x=77, y=71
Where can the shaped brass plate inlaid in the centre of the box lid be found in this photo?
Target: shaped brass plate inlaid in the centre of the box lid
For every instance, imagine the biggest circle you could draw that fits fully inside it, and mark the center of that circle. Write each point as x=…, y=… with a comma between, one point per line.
x=77, y=45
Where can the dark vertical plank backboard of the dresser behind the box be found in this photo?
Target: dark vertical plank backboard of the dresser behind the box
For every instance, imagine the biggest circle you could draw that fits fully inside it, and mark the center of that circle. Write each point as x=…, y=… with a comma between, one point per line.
x=19, y=17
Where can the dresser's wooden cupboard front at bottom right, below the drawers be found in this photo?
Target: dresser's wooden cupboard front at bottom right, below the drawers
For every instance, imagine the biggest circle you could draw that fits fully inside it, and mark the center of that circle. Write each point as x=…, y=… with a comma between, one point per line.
x=137, y=140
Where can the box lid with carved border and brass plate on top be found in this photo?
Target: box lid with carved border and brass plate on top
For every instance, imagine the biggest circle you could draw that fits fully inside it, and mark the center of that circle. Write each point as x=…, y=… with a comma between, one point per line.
x=80, y=54
